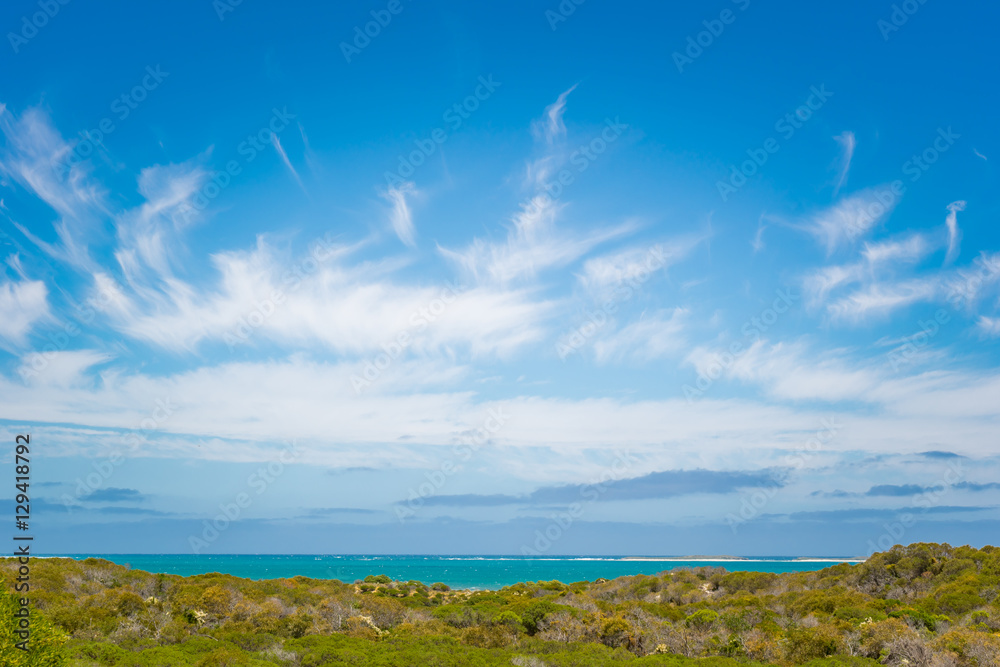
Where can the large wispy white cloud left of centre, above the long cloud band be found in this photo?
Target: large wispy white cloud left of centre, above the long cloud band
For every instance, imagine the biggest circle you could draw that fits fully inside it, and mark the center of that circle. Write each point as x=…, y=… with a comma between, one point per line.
x=348, y=308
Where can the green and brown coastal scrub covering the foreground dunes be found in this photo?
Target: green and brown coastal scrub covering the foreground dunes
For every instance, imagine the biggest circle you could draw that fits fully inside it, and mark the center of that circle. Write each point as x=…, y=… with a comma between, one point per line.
x=929, y=605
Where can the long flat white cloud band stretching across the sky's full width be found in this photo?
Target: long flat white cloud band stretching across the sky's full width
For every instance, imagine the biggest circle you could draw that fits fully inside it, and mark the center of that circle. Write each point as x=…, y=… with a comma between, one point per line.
x=236, y=411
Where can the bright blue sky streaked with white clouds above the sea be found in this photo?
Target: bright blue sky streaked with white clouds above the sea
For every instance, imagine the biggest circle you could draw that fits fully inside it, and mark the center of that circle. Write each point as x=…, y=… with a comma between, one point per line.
x=531, y=278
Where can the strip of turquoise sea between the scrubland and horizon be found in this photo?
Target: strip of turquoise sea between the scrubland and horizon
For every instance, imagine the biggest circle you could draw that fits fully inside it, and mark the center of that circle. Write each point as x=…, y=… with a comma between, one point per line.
x=480, y=572
